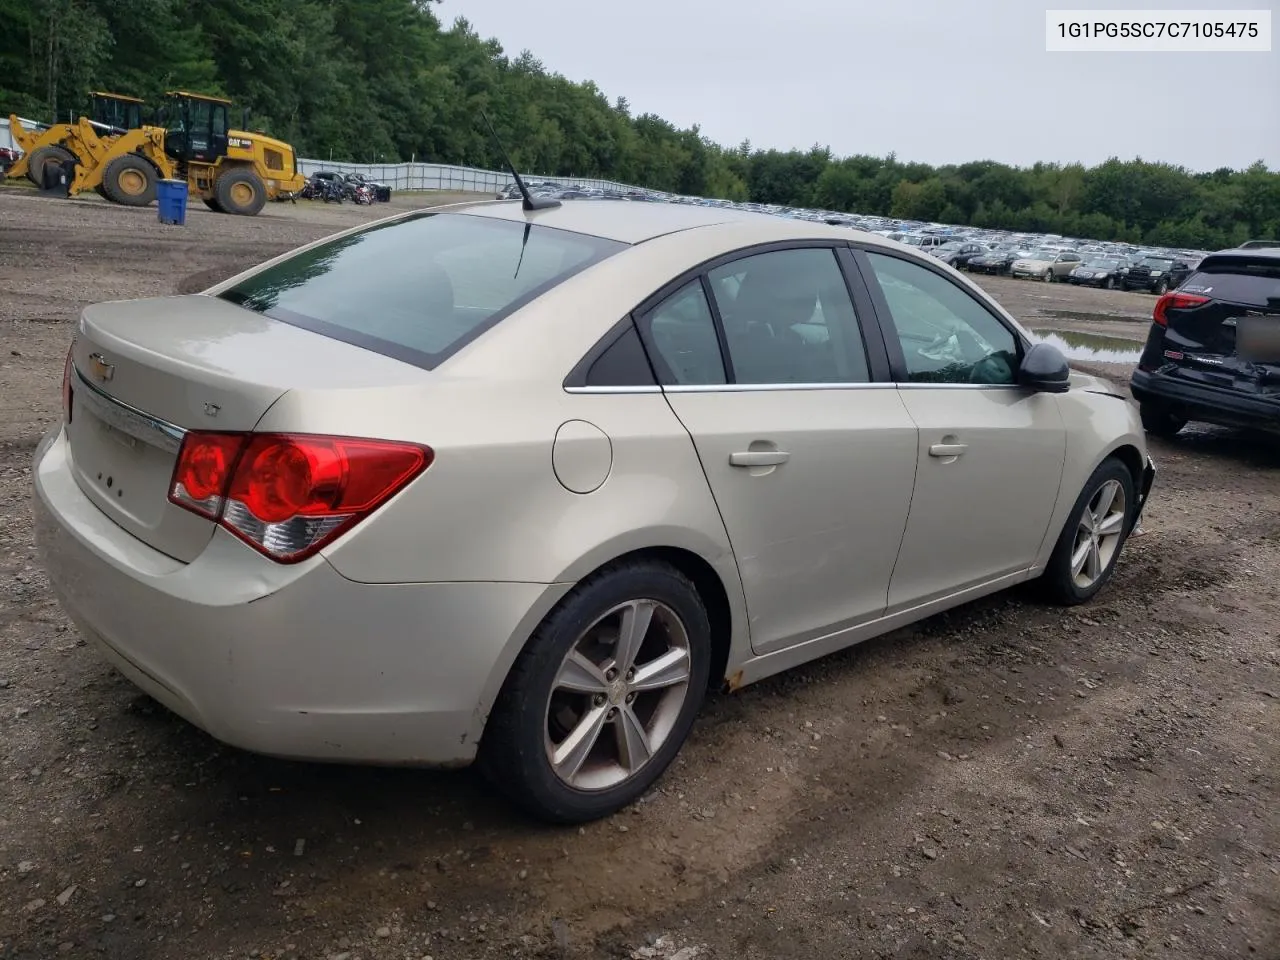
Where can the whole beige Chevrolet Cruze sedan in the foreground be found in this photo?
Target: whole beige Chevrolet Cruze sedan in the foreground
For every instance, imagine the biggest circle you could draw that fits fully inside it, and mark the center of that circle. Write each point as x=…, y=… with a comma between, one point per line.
x=518, y=487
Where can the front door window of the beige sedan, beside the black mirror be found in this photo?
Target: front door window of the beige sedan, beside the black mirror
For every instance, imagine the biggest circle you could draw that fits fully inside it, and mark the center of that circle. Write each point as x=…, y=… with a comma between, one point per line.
x=947, y=335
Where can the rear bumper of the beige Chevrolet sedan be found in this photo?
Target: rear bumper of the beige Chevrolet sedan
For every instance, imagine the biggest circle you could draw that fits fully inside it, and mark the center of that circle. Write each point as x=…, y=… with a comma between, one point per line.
x=291, y=661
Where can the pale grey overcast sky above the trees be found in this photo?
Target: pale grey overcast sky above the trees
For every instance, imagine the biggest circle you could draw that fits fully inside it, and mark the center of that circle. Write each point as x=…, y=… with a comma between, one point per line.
x=936, y=81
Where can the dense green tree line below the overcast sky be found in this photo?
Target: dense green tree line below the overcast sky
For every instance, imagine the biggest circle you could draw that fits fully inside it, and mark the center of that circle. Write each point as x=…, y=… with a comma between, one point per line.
x=387, y=81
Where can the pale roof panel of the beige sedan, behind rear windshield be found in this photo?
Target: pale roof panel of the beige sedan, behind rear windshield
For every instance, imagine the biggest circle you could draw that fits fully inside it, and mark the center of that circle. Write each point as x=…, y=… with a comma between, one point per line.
x=634, y=223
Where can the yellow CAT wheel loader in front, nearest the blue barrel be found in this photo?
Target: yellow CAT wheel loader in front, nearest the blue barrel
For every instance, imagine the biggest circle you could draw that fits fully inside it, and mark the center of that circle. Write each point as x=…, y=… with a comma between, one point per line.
x=231, y=171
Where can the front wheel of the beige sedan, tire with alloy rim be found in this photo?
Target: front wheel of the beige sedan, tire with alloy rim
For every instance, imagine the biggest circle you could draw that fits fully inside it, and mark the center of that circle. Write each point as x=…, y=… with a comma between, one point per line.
x=1063, y=582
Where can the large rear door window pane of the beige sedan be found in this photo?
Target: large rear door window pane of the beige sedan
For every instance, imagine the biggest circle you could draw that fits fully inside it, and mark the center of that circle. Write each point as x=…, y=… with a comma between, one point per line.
x=789, y=319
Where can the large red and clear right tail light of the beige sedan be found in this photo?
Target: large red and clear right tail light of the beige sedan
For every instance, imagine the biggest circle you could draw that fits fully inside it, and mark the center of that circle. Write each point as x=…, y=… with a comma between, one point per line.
x=289, y=496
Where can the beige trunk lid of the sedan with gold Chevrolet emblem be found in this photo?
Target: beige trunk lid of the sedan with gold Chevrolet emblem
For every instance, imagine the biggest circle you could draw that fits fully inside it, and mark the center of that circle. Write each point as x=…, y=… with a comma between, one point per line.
x=148, y=372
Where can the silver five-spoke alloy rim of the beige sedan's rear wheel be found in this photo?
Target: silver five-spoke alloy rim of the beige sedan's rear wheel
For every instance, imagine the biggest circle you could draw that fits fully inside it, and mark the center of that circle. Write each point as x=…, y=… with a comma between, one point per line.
x=618, y=696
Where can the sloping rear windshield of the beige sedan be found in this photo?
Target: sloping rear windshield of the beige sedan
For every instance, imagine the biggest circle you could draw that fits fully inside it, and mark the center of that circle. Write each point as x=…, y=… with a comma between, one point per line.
x=419, y=290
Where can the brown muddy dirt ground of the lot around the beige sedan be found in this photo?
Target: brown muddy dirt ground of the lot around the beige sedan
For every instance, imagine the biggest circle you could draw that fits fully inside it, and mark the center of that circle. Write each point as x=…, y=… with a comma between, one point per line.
x=1007, y=780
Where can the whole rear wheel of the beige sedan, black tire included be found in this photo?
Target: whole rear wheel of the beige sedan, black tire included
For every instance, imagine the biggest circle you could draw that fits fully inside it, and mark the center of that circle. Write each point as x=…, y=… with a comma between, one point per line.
x=534, y=710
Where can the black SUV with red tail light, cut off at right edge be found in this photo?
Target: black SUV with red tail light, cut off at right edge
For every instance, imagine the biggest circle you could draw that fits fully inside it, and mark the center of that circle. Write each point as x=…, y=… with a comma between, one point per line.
x=1214, y=350
